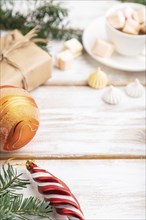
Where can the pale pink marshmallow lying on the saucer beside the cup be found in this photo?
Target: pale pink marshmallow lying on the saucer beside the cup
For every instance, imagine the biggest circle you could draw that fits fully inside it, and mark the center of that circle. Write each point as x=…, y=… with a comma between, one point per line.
x=102, y=48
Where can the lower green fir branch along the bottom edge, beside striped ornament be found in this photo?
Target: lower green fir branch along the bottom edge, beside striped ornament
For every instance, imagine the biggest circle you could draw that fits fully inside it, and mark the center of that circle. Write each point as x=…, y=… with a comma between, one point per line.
x=15, y=207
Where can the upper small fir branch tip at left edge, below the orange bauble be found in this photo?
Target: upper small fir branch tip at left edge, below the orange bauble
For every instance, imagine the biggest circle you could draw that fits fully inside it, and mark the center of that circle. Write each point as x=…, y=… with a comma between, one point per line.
x=10, y=180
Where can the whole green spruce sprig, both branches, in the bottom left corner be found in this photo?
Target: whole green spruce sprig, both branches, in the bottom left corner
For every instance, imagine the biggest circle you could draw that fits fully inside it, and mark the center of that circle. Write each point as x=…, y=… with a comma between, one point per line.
x=12, y=204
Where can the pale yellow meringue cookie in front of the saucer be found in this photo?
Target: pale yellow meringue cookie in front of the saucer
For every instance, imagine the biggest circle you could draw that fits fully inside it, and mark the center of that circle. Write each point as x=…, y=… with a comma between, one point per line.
x=98, y=79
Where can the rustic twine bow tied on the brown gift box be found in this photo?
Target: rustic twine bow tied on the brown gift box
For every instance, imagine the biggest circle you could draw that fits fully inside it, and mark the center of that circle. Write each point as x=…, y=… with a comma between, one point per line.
x=19, y=44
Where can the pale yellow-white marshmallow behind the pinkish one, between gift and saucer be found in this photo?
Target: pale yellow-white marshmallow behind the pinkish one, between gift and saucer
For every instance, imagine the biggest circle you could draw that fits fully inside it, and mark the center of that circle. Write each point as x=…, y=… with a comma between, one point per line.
x=74, y=46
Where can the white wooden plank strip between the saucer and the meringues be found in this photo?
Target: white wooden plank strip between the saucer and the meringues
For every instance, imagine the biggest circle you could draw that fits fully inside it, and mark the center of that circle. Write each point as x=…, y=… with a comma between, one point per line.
x=83, y=66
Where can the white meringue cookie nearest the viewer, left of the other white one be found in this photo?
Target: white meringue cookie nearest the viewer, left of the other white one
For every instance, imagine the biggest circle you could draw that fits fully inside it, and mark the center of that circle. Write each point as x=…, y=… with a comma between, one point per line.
x=112, y=96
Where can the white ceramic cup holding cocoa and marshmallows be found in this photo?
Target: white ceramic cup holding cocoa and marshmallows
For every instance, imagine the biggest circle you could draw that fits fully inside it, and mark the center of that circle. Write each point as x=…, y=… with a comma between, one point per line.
x=125, y=44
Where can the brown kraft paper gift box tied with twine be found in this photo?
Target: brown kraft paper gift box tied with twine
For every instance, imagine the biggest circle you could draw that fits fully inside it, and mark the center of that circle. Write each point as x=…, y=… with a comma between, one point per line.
x=27, y=66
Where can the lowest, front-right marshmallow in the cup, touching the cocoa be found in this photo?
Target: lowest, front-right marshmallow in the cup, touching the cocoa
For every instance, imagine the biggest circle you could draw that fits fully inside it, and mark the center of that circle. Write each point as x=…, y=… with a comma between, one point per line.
x=131, y=27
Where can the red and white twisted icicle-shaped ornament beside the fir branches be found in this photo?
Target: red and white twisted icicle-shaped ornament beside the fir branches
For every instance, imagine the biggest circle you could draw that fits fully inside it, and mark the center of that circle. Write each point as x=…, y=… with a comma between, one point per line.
x=56, y=192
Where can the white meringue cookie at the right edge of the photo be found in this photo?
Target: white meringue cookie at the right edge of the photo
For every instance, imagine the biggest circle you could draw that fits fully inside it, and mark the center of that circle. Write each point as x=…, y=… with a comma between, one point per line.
x=135, y=89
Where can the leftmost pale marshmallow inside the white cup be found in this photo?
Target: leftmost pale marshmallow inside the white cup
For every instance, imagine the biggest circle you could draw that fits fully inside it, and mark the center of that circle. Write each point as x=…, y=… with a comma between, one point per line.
x=117, y=20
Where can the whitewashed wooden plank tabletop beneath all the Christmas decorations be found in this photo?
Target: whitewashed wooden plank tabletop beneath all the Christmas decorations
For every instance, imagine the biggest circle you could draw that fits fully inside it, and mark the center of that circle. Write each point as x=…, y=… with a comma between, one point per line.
x=97, y=149
